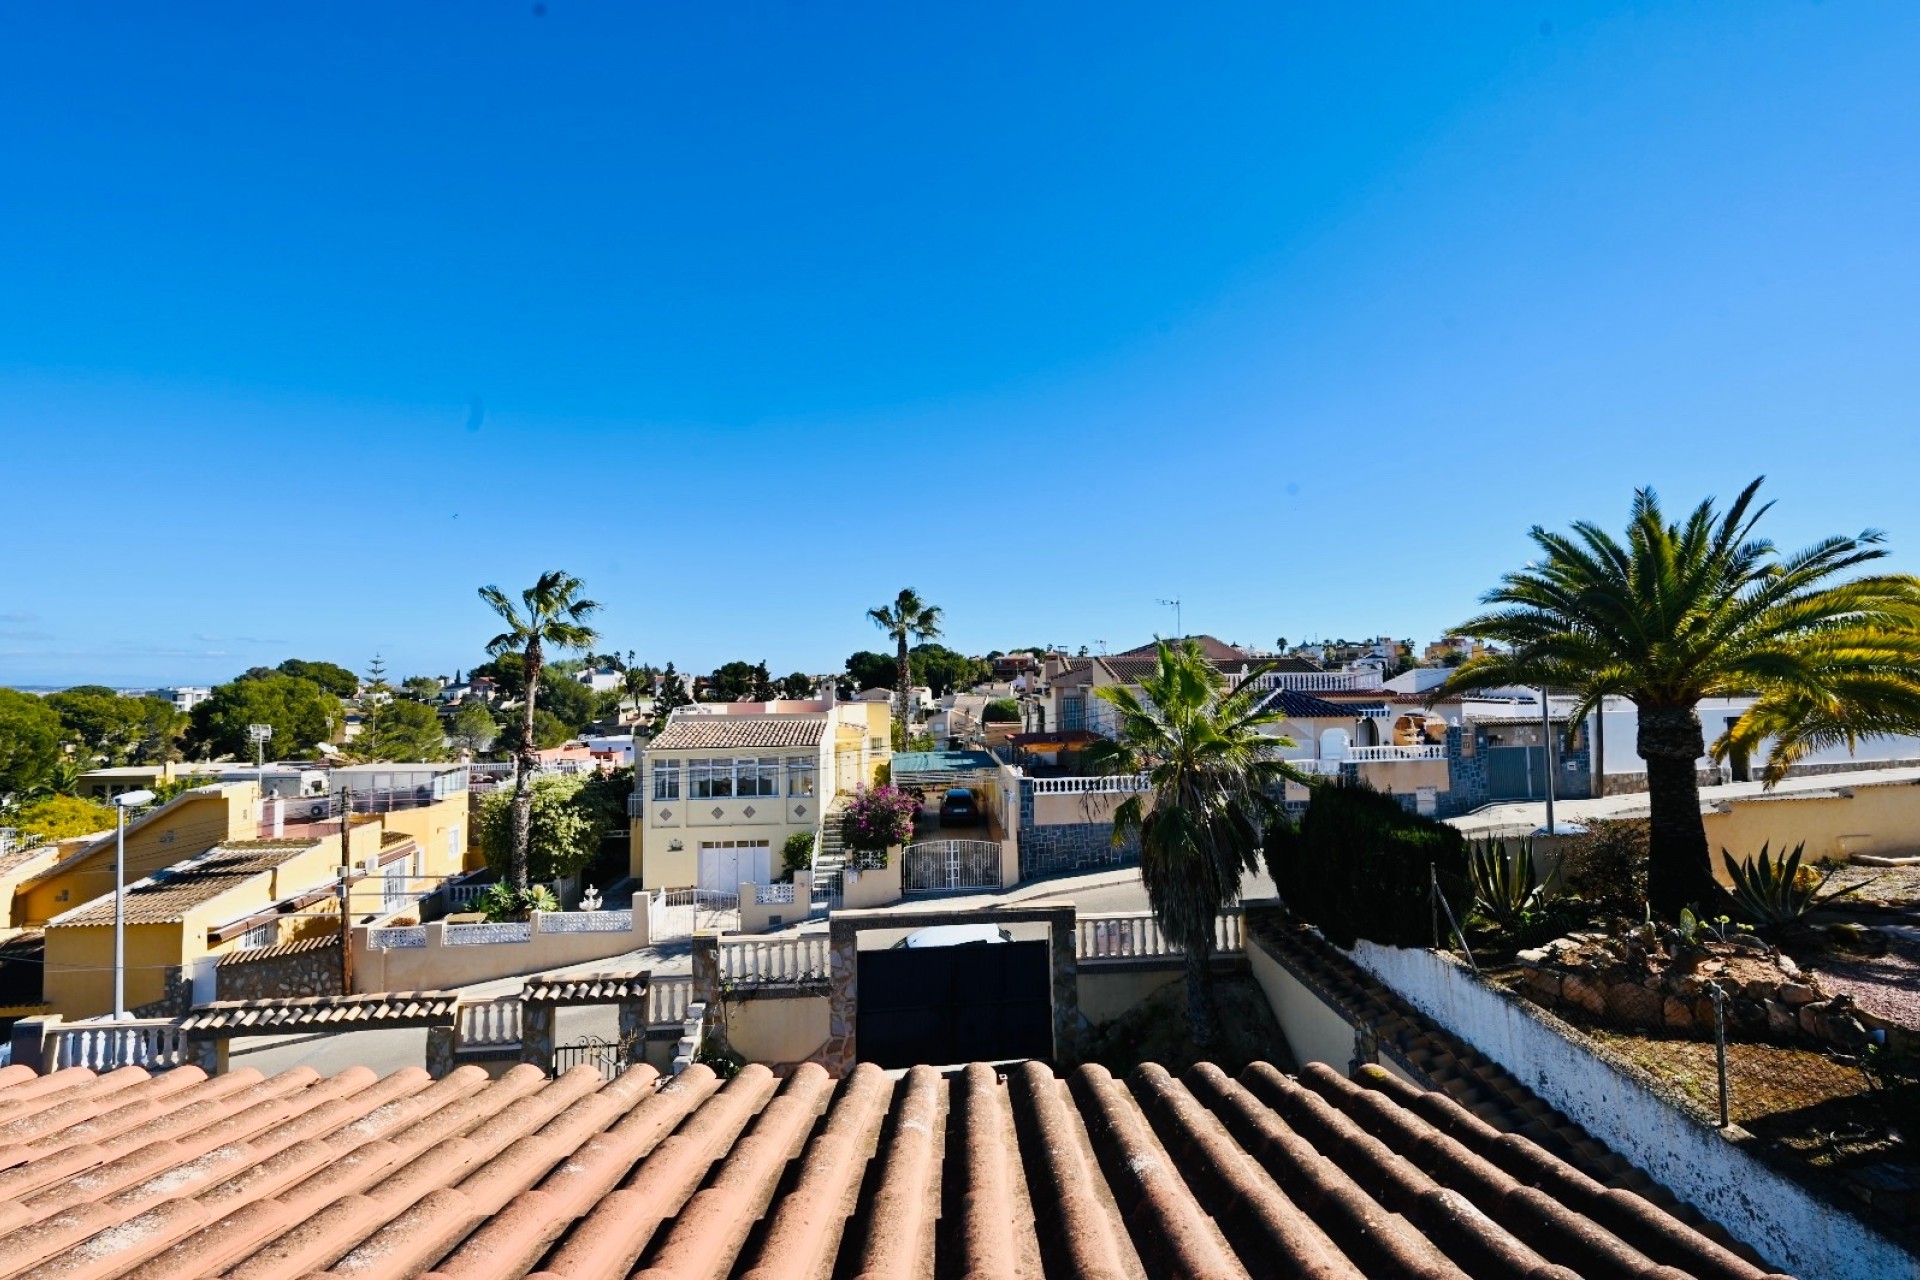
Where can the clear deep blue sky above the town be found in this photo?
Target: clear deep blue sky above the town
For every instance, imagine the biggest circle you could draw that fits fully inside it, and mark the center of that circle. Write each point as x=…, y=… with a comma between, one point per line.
x=318, y=318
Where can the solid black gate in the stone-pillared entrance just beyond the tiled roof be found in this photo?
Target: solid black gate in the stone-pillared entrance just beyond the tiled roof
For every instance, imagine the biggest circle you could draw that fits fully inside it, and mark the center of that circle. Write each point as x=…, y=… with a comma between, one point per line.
x=955, y=1005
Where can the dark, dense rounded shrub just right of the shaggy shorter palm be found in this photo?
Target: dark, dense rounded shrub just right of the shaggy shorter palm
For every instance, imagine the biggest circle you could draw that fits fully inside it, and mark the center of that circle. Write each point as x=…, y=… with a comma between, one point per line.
x=1360, y=866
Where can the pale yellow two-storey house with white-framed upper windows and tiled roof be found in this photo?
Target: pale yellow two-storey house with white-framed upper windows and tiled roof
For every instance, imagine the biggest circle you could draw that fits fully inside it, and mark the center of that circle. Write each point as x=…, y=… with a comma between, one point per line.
x=723, y=786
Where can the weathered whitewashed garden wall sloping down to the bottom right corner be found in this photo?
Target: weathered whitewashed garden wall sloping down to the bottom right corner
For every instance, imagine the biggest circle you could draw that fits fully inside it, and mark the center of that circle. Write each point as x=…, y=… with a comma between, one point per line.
x=1708, y=1168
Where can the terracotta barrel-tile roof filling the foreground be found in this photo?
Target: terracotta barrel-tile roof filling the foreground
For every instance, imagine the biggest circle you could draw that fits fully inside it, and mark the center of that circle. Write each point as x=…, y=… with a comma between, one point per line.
x=917, y=1175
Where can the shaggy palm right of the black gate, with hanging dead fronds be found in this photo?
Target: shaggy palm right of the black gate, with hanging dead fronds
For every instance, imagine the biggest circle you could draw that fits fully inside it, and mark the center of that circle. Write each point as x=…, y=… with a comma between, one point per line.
x=1212, y=770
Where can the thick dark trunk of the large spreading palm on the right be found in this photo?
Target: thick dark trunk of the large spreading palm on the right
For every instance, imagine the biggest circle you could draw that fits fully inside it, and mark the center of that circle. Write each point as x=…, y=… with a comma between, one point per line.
x=1679, y=865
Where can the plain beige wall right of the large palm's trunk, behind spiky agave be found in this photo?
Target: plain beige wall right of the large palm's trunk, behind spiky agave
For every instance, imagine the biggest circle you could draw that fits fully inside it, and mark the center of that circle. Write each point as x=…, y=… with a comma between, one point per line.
x=1860, y=820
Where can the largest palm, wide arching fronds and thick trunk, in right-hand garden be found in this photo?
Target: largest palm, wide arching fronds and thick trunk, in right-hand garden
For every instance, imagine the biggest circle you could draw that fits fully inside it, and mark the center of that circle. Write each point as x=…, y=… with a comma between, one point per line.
x=1704, y=609
